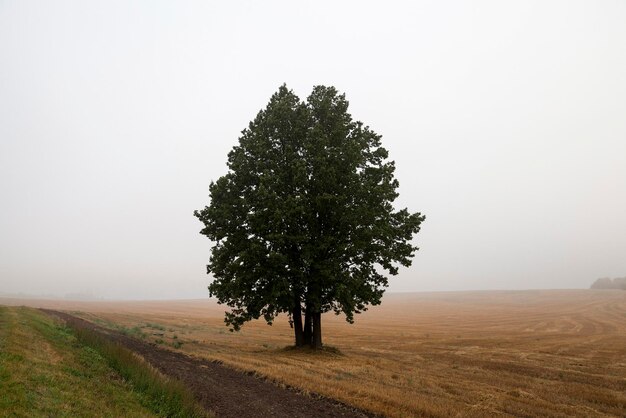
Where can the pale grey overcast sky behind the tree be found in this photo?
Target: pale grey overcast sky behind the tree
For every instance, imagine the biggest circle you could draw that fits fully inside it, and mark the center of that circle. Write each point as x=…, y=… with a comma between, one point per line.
x=507, y=122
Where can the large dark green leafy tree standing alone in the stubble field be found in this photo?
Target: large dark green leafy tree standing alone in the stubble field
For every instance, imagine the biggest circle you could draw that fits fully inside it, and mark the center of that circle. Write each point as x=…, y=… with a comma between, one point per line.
x=303, y=222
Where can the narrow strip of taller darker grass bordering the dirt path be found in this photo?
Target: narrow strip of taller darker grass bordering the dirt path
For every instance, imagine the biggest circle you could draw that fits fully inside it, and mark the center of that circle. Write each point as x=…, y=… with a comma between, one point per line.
x=165, y=396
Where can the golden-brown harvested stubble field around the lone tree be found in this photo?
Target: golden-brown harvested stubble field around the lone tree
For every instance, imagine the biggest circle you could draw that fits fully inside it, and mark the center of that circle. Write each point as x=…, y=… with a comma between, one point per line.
x=522, y=353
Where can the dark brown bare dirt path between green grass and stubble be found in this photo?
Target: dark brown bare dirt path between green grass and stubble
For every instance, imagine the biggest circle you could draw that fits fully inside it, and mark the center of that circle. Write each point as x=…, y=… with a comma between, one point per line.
x=227, y=392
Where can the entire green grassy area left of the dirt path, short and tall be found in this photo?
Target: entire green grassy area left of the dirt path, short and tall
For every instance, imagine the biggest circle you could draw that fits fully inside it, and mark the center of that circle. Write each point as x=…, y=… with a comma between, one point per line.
x=48, y=369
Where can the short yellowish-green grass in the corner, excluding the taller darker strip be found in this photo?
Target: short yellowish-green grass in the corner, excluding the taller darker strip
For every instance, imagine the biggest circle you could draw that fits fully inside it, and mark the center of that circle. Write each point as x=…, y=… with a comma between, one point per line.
x=45, y=371
